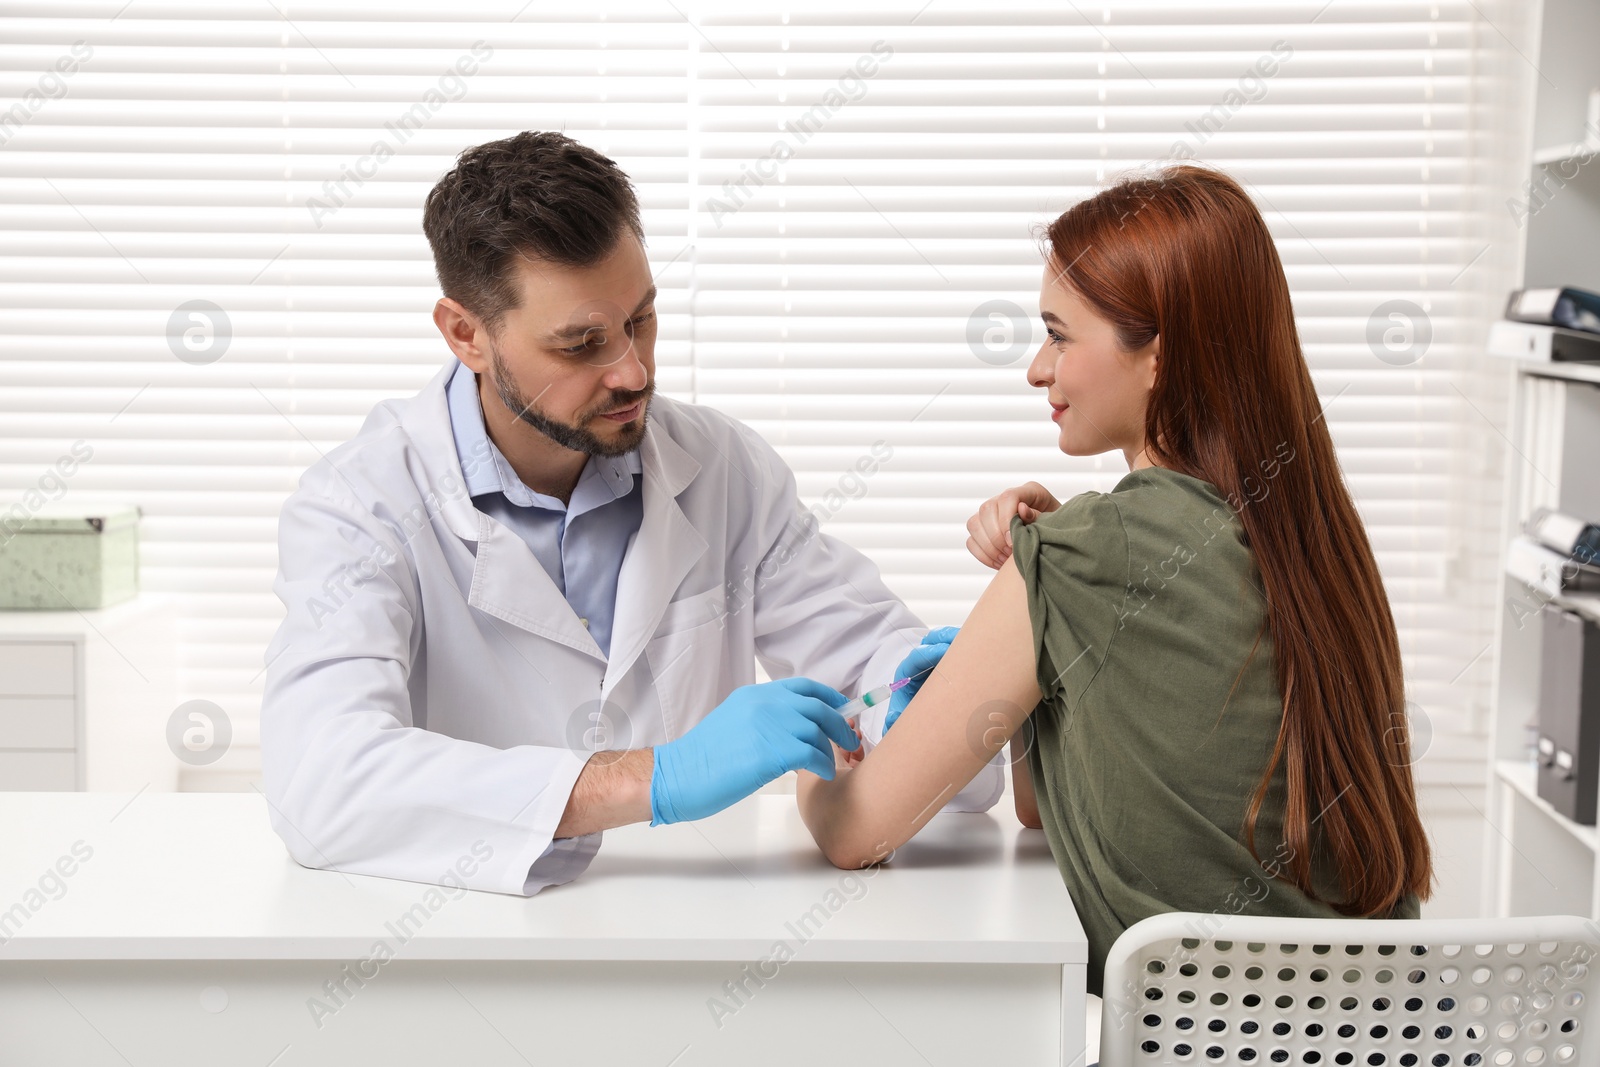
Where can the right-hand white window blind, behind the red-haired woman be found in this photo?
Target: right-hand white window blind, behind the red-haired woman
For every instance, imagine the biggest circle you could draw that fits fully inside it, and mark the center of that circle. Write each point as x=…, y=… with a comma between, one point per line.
x=868, y=196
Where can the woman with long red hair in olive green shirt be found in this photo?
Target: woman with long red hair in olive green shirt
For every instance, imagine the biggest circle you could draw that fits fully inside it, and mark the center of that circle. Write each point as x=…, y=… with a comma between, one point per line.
x=1199, y=671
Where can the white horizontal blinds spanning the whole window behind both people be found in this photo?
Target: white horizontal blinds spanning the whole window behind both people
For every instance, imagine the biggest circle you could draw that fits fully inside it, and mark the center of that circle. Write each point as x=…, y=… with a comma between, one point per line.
x=214, y=263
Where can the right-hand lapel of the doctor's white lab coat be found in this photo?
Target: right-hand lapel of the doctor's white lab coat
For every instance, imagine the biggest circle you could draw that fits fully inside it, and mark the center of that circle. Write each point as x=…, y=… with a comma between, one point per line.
x=662, y=556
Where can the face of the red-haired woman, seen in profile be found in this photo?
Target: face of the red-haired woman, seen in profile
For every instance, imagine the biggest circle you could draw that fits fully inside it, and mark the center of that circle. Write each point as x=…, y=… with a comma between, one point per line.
x=1097, y=391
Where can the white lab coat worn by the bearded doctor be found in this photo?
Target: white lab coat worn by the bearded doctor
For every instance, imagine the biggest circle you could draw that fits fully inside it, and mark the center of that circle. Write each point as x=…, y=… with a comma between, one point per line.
x=431, y=697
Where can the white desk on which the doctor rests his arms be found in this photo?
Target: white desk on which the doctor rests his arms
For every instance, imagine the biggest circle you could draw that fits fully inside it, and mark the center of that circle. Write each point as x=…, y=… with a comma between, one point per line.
x=190, y=937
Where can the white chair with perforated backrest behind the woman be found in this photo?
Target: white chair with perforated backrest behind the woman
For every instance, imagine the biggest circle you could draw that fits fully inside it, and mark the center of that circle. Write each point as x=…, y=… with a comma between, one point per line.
x=1202, y=989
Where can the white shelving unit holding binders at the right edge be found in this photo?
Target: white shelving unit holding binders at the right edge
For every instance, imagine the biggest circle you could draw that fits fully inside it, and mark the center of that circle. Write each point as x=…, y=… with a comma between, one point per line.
x=1538, y=860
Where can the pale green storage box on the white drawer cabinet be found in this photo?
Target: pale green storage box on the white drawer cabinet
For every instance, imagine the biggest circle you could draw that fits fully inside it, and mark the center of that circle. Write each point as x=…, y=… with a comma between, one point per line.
x=63, y=559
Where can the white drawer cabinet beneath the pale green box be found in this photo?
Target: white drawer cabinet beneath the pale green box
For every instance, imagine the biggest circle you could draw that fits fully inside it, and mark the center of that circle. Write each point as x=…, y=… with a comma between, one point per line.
x=86, y=698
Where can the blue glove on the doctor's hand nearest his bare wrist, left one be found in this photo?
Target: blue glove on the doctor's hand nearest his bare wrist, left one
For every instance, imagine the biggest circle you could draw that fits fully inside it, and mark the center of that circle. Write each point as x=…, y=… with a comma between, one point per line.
x=759, y=733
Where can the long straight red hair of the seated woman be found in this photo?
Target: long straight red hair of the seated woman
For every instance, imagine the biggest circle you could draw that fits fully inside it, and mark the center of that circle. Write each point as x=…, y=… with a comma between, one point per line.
x=1185, y=255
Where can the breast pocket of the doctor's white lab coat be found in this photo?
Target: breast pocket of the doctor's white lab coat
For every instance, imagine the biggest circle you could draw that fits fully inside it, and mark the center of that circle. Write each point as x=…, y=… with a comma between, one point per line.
x=687, y=660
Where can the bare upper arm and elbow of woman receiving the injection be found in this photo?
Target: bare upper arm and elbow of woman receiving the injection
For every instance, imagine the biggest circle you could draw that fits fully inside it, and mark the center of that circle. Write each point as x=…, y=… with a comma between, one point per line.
x=966, y=713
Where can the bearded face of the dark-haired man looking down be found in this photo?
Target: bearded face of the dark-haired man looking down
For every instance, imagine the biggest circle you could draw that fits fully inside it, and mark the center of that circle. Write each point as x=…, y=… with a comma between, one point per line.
x=577, y=358
